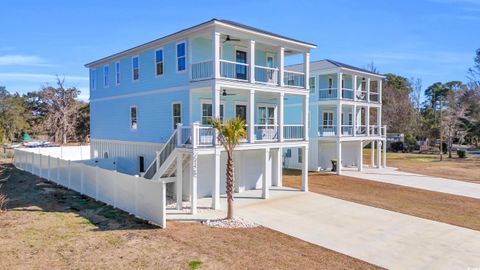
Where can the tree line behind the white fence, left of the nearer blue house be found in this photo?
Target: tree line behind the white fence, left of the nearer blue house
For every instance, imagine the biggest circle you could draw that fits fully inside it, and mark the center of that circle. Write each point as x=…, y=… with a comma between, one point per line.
x=54, y=112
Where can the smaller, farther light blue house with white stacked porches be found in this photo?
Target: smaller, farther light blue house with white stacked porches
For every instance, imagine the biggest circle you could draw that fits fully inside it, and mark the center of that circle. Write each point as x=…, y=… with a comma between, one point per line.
x=344, y=117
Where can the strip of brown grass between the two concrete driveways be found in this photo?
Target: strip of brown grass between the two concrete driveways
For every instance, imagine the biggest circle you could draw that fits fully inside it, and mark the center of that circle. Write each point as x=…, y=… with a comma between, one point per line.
x=455, y=210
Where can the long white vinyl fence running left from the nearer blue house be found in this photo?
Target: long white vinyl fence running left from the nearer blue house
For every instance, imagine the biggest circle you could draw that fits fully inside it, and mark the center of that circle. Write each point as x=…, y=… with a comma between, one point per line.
x=141, y=197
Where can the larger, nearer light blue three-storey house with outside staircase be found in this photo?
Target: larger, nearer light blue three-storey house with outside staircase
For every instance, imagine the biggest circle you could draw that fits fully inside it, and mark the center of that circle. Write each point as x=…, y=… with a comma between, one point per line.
x=151, y=105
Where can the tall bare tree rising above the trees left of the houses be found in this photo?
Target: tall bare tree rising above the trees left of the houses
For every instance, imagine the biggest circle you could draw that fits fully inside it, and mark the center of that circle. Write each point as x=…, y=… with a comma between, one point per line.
x=61, y=109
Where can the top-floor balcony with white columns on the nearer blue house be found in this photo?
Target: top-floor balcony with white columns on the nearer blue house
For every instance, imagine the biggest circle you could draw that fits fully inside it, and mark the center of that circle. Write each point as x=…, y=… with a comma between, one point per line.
x=223, y=56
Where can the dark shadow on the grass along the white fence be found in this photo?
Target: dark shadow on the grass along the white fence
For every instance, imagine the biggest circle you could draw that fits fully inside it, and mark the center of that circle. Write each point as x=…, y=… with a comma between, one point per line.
x=28, y=192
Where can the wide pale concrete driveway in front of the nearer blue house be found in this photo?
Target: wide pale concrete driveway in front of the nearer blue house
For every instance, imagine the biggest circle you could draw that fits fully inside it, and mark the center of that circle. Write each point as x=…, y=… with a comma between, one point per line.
x=381, y=237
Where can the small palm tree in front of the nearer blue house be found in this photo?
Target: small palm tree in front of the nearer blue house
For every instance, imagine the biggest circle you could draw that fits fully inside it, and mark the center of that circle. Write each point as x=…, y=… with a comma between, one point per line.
x=229, y=135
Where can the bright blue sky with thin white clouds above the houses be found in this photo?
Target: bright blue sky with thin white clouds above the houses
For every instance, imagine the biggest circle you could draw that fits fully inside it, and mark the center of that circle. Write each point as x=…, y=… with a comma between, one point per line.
x=433, y=40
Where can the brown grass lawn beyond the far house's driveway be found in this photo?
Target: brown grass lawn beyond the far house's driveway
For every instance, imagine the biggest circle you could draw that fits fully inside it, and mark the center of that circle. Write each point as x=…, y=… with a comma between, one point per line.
x=467, y=169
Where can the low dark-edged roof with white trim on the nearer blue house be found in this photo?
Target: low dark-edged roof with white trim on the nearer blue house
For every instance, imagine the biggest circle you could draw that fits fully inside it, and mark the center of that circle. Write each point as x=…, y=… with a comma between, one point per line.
x=193, y=28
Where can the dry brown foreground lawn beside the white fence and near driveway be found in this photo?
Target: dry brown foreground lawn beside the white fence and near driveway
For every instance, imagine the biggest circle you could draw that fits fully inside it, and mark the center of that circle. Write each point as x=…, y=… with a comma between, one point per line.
x=49, y=227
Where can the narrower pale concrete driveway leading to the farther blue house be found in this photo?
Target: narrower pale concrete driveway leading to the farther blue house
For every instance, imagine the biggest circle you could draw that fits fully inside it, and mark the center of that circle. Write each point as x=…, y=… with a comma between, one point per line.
x=393, y=176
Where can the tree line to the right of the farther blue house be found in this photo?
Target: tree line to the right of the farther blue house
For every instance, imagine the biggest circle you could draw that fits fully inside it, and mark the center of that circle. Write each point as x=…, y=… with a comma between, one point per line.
x=449, y=111
